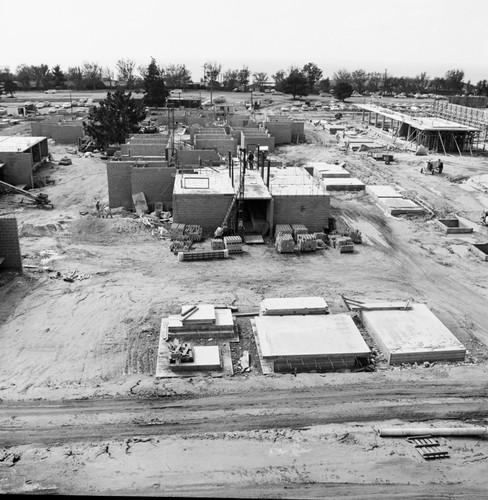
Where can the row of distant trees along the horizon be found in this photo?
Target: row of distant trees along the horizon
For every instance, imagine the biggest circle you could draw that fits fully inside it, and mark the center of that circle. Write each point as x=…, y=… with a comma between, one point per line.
x=296, y=81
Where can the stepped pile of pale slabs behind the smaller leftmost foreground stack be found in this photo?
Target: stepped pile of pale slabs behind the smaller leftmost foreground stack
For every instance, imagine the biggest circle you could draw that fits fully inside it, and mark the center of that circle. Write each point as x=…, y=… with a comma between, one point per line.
x=203, y=320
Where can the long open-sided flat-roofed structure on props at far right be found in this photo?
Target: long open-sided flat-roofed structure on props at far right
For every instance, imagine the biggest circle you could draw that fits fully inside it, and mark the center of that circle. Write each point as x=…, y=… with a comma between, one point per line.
x=444, y=129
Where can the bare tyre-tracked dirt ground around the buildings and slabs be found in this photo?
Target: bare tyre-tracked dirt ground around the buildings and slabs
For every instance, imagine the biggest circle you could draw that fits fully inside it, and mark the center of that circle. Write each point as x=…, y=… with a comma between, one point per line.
x=70, y=346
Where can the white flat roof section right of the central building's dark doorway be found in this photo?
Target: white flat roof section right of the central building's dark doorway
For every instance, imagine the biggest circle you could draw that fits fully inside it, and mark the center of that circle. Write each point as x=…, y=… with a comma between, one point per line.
x=294, y=181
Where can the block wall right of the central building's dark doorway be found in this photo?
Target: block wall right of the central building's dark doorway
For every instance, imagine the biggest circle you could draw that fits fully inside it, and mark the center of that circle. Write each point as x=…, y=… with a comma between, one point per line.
x=311, y=211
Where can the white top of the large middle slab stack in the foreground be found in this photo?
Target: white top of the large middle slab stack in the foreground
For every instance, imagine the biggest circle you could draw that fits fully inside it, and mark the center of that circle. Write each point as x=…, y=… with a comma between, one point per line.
x=315, y=335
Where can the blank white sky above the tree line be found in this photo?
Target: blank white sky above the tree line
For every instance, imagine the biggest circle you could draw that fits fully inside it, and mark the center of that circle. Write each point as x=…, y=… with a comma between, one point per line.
x=403, y=38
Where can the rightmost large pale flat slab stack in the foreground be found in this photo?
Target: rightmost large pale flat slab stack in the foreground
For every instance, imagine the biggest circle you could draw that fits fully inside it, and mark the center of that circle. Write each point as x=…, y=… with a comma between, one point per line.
x=412, y=335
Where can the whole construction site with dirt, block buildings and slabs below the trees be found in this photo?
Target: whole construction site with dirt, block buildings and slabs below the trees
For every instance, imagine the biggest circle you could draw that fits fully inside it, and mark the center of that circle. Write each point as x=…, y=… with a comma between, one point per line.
x=241, y=302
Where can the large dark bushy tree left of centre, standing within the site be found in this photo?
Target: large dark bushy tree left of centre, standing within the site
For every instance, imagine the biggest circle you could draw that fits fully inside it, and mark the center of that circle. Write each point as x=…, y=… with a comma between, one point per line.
x=114, y=119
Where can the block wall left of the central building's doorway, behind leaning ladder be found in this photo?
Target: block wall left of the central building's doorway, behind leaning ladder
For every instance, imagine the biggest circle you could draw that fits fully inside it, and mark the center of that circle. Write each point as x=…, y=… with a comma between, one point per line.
x=205, y=210
